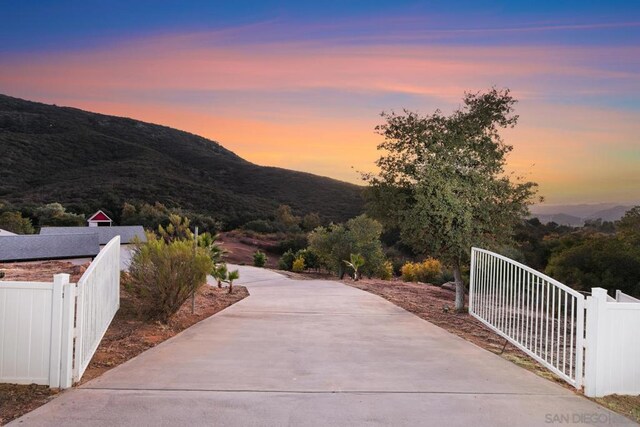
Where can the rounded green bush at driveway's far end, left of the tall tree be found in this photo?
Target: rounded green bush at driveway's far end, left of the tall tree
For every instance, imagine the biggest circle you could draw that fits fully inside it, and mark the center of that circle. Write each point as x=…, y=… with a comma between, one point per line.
x=335, y=243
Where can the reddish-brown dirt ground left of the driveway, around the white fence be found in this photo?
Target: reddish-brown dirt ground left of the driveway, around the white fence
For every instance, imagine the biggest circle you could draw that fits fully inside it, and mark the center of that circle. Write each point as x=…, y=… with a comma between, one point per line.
x=126, y=337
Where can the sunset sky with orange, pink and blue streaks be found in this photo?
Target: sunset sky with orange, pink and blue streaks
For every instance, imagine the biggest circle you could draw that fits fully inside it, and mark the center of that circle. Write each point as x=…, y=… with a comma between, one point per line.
x=301, y=85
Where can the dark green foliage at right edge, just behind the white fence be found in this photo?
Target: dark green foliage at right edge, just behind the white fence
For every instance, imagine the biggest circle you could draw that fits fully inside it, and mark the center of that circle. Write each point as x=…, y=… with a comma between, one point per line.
x=598, y=262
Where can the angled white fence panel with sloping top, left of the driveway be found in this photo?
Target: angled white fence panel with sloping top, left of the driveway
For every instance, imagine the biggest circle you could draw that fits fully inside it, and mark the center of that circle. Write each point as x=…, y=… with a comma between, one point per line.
x=98, y=301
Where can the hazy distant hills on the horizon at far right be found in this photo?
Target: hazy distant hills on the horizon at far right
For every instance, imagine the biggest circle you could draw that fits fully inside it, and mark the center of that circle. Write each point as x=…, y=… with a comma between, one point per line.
x=576, y=215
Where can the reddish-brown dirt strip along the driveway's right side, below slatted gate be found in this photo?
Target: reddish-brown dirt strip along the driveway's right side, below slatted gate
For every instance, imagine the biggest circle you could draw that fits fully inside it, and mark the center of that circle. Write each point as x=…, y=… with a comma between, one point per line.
x=435, y=304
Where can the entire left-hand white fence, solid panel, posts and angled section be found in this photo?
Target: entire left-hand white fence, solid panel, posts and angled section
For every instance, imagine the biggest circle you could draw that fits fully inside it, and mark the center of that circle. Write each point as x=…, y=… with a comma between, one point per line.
x=37, y=319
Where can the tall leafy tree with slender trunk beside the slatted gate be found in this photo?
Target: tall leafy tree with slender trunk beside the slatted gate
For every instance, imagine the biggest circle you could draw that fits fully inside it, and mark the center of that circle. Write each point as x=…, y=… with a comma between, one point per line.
x=442, y=180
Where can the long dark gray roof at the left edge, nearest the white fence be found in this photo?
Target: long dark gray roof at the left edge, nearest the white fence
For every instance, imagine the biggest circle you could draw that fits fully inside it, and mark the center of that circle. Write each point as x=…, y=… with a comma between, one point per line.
x=36, y=247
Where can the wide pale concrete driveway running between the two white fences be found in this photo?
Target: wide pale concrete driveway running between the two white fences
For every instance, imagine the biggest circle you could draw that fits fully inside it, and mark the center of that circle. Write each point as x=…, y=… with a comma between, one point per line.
x=317, y=353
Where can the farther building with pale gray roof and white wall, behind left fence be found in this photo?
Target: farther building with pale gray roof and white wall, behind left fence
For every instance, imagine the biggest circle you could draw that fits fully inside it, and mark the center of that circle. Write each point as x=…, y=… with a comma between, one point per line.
x=129, y=234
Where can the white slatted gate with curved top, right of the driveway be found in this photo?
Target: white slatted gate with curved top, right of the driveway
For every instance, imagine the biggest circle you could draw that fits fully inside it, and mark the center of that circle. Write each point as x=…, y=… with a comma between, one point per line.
x=536, y=313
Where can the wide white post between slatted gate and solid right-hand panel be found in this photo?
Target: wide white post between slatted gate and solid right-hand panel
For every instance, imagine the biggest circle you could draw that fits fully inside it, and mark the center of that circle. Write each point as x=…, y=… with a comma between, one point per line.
x=596, y=329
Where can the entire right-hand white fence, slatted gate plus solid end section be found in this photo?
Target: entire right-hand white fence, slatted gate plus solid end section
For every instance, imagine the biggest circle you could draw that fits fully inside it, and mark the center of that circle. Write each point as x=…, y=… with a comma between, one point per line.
x=592, y=342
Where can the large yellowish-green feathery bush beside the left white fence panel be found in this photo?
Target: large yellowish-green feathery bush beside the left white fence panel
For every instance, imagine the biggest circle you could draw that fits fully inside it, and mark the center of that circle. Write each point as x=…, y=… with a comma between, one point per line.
x=164, y=274
